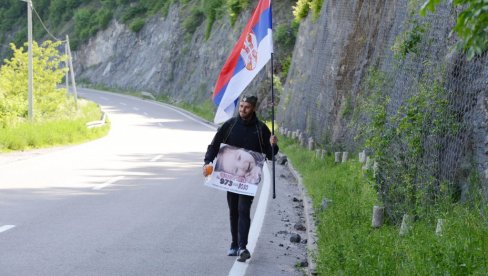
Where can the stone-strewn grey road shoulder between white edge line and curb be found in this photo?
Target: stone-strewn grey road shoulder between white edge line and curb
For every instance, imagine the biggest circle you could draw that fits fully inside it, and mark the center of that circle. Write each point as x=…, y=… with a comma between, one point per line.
x=282, y=245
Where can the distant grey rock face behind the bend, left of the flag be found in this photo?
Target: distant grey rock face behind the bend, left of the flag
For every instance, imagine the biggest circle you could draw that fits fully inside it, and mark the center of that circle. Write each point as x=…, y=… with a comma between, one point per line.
x=162, y=58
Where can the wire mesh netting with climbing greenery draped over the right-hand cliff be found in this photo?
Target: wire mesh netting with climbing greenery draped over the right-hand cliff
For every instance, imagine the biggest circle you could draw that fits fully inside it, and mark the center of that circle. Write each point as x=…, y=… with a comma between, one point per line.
x=396, y=81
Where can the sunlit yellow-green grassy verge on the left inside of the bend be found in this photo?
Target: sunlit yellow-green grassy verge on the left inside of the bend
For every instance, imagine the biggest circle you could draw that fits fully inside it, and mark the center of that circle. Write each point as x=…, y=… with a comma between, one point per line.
x=31, y=135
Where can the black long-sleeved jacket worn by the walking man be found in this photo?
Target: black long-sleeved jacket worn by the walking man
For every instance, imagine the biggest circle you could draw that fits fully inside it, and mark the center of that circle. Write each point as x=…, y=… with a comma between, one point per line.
x=251, y=134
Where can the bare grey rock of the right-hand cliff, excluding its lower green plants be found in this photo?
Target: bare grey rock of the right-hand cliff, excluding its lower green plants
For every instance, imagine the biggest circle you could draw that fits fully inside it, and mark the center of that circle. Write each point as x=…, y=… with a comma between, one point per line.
x=335, y=55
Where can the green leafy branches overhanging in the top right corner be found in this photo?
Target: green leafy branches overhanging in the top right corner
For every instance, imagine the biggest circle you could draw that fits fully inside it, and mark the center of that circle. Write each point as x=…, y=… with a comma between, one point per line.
x=471, y=24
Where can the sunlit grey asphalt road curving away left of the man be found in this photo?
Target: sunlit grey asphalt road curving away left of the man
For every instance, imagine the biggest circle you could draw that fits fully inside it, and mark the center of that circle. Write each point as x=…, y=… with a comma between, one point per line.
x=131, y=203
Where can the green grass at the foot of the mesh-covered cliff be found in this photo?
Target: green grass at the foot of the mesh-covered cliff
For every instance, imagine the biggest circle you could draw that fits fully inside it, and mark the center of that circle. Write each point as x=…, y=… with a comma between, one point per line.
x=348, y=245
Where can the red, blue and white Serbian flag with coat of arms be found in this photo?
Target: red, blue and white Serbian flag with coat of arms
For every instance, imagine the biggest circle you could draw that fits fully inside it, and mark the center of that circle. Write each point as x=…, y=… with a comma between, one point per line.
x=250, y=54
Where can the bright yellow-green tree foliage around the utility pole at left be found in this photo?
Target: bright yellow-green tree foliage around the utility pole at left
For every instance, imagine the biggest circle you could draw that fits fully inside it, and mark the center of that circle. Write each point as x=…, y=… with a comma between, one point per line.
x=49, y=100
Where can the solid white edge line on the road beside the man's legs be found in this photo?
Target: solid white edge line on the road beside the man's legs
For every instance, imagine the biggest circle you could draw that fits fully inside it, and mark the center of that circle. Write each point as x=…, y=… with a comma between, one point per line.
x=239, y=268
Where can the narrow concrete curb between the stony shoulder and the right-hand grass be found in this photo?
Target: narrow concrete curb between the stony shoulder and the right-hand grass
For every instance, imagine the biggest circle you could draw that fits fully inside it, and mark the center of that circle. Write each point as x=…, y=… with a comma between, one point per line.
x=309, y=221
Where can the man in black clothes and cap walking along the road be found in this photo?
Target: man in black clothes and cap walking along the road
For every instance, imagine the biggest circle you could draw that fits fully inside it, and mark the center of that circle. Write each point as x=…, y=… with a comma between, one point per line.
x=247, y=132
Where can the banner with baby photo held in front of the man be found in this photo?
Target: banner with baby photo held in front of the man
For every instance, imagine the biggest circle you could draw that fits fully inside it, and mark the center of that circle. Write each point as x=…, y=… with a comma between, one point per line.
x=237, y=170
